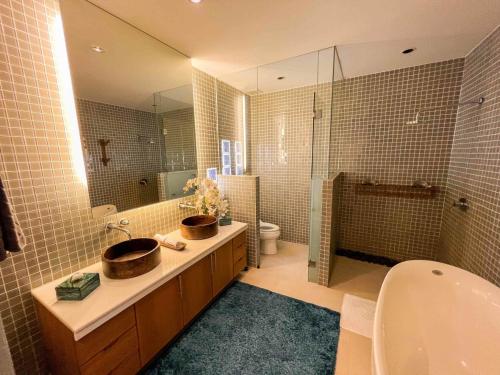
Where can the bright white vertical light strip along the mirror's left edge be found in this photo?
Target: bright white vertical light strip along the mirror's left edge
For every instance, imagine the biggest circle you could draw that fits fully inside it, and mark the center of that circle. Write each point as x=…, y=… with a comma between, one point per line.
x=61, y=63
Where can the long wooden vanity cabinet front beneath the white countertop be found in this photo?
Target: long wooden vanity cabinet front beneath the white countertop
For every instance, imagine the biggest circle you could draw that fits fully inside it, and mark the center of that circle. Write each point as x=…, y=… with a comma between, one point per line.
x=131, y=339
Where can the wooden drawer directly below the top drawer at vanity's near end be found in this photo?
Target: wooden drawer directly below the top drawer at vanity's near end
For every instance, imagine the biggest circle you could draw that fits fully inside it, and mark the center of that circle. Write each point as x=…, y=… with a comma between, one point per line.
x=119, y=357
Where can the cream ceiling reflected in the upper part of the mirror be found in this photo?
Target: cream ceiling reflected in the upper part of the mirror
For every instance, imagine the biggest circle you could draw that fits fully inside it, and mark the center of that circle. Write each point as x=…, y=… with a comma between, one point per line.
x=133, y=67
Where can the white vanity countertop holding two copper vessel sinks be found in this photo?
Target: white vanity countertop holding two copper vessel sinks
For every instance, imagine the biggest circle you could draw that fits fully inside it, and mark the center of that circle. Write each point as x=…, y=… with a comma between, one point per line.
x=114, y=296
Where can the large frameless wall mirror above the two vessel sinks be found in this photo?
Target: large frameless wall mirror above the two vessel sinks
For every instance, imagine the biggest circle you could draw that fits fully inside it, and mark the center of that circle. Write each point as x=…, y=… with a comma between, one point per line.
x=134, y=101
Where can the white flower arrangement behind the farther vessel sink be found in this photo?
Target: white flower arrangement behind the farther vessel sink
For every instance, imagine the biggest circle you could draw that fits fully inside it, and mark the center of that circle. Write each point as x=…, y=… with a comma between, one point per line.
x=207, y=198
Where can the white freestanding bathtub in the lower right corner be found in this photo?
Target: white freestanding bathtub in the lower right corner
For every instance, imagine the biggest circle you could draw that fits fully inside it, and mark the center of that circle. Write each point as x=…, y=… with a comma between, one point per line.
x=432, y=324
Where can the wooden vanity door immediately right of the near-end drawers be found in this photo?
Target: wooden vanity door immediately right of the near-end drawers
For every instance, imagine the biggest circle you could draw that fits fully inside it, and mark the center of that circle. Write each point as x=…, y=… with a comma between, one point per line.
x=159, y=319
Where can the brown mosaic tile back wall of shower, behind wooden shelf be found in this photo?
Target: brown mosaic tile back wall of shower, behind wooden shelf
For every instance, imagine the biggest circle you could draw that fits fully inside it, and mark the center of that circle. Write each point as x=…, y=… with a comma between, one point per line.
x=370, y=139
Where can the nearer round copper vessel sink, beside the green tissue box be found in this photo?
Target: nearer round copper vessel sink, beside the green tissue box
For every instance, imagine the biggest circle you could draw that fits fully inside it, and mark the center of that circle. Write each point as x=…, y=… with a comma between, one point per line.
x=131, y=258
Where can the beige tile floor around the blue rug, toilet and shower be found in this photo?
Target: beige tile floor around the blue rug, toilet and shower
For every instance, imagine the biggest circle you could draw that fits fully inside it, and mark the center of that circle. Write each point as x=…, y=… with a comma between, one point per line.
x=286, y=273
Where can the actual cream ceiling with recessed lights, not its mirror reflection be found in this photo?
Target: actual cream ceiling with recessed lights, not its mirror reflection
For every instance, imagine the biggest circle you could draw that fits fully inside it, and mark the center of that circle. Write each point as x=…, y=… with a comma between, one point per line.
x=227, y=36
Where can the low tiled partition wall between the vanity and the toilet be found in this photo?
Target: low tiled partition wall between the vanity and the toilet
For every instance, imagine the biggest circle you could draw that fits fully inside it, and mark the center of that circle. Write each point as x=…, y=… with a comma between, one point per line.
x=242, y=192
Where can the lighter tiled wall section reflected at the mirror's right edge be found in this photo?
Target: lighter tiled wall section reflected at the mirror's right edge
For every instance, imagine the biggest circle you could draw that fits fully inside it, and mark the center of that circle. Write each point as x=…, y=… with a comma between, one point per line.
x=180, y=139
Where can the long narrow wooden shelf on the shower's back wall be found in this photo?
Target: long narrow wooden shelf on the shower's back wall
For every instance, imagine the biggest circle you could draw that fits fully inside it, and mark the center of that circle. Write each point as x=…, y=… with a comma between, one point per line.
x=400, y=191
